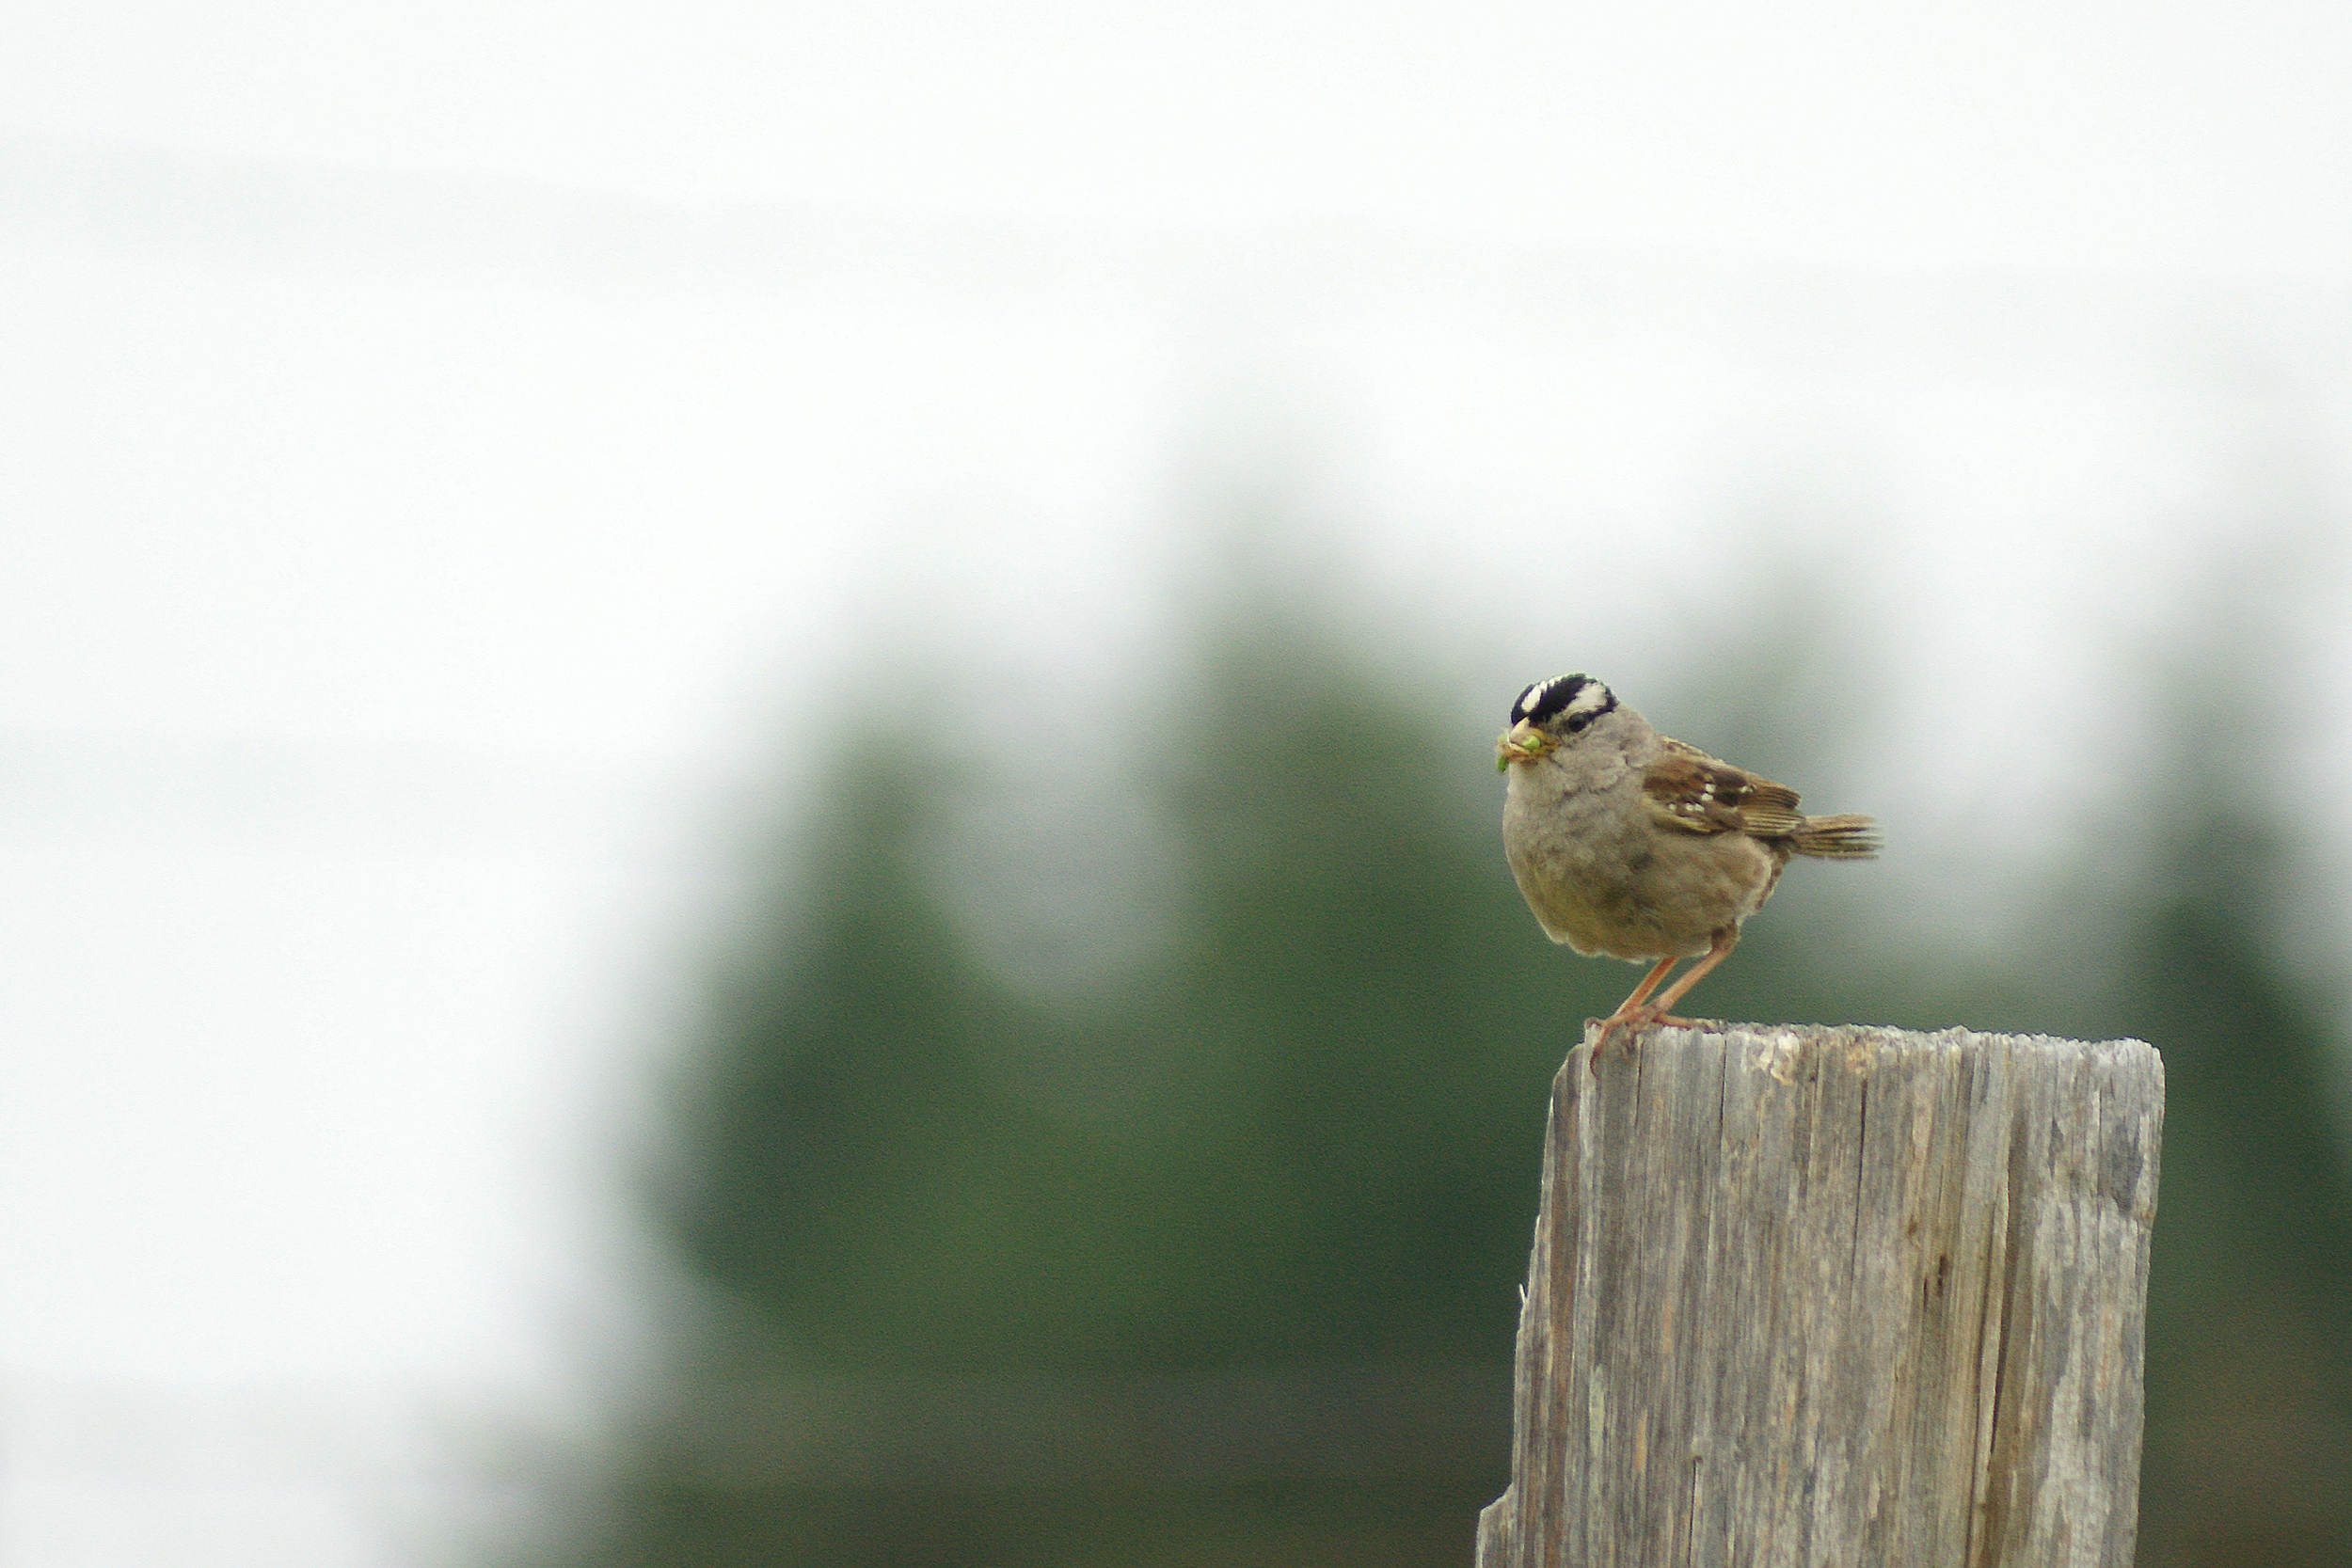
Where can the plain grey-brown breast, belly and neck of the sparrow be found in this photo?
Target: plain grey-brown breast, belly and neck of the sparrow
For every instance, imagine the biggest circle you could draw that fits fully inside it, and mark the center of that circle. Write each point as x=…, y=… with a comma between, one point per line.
x=1603, y=876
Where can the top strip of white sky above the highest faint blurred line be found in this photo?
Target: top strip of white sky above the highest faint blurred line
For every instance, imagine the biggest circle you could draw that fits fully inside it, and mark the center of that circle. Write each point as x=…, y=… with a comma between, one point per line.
x=2102, y=135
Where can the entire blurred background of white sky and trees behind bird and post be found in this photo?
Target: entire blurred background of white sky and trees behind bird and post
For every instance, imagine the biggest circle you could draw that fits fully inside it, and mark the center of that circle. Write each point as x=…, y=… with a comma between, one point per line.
x=526, y=525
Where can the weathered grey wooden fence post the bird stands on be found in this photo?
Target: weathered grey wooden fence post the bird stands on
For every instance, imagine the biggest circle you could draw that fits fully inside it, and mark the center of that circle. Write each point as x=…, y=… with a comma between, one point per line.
x=1836, y=1299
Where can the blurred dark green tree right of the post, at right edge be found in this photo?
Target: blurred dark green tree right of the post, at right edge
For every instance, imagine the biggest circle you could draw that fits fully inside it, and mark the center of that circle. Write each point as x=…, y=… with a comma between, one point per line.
x=2250, y=1301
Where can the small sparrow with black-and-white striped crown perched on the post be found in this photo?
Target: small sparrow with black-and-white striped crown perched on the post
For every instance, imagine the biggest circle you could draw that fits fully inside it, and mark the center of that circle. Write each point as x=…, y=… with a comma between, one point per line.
x=1641, y=847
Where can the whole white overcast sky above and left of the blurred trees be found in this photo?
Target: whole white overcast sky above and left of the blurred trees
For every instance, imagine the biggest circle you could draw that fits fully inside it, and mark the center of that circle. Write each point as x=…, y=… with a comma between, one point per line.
x=450, y=455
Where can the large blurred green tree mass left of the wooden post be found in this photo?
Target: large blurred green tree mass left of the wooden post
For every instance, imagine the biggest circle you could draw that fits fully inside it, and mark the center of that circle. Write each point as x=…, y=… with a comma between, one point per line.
x=1262, y=1315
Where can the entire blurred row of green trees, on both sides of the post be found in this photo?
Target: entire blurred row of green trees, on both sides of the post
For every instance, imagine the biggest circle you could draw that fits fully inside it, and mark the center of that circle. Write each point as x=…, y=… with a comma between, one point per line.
x=1217, y=1266
